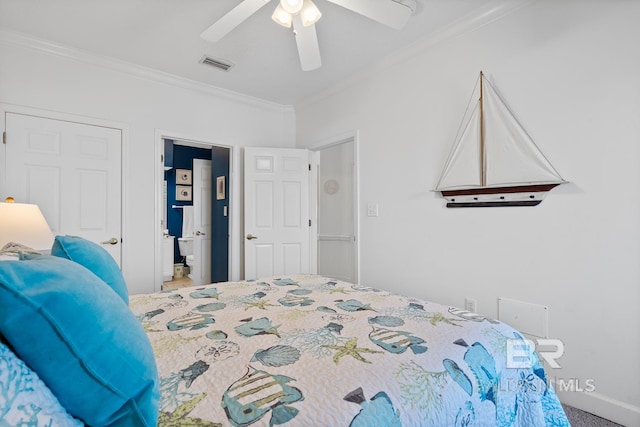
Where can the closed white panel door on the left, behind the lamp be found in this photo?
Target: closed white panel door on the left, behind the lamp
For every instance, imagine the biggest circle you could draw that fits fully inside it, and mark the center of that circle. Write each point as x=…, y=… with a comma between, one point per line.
x=72, y=171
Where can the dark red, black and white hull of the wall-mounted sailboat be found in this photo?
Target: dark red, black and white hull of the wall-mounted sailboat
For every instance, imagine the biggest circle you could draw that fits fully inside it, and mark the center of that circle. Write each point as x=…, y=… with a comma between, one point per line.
x=485, y=197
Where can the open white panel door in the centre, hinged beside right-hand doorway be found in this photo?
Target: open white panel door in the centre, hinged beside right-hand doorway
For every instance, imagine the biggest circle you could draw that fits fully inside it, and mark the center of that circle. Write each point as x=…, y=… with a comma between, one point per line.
x=276, y=211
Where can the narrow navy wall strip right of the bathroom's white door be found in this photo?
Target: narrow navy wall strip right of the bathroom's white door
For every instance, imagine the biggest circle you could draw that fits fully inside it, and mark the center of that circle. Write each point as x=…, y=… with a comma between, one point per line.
x=220, y=222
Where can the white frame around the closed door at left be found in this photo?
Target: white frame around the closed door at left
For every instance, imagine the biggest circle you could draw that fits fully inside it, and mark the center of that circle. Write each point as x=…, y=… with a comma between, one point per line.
x=85, y=120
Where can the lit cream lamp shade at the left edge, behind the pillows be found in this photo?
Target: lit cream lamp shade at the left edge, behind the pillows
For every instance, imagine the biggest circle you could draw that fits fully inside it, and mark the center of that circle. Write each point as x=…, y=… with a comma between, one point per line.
x=24, y=223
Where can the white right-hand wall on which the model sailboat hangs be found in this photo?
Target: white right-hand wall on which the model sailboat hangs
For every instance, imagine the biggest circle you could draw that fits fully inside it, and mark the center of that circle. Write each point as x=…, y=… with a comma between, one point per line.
x=571, y=72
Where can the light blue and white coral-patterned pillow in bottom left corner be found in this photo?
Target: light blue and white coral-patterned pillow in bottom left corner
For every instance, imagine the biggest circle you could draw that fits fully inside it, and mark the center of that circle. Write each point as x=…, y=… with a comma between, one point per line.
x=26, y=400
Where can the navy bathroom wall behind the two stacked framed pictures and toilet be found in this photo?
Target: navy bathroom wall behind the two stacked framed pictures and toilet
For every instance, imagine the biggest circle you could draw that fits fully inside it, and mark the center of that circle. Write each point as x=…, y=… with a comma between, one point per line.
x=182, y=159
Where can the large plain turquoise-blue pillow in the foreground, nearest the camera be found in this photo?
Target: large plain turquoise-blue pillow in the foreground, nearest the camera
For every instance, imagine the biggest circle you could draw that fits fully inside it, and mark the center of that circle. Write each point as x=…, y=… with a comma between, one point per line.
x=68, y=326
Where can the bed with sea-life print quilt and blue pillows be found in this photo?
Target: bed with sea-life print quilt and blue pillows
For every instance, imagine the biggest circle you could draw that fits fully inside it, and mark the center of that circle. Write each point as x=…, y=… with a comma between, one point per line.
x=299, y=350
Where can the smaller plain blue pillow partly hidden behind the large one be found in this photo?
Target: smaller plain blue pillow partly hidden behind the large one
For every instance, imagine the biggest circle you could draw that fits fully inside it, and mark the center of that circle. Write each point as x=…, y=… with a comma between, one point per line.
x=93, y=257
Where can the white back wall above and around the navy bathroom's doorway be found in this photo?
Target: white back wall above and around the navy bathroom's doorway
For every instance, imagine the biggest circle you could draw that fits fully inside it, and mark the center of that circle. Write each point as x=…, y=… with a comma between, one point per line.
x=52, y=78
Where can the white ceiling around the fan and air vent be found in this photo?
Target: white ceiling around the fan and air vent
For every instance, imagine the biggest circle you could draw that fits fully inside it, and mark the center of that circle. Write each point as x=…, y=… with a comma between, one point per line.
x=165, y=35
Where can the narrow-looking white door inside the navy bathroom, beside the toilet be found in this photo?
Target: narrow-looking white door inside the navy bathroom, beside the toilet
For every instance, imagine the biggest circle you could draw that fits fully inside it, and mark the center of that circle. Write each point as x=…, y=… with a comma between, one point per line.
x=202, y=193
